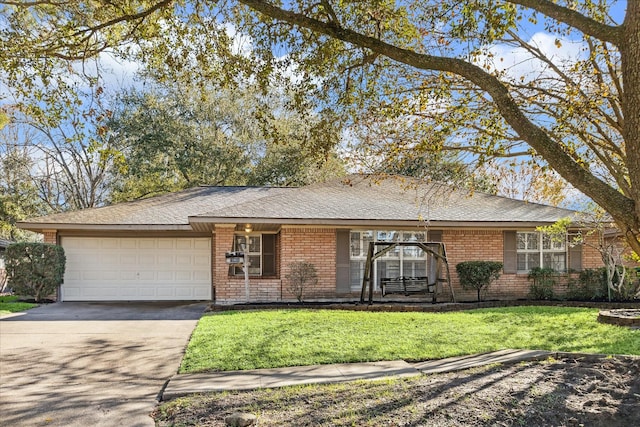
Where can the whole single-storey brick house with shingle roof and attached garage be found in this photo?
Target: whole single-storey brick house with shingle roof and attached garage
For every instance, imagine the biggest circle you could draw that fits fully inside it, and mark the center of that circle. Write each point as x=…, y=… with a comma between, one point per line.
x=173, y=247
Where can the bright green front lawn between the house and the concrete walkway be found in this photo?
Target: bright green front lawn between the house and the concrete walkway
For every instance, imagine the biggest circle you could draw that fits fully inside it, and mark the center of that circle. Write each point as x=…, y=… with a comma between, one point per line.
x=265, y=339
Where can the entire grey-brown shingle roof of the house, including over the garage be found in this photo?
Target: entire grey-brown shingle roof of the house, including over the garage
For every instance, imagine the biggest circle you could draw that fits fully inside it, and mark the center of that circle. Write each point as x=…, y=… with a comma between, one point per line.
x=354, y=199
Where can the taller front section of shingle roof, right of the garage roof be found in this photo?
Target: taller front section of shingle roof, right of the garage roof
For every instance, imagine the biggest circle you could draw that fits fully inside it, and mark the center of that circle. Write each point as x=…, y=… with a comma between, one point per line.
x=393, y=199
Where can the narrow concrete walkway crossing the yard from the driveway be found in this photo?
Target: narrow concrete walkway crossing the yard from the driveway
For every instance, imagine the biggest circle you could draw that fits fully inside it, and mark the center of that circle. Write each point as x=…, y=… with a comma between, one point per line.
x=183, y=384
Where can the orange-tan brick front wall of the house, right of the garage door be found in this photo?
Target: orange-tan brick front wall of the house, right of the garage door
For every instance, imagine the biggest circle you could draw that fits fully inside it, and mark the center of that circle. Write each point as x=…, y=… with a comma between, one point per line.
x=318, y=246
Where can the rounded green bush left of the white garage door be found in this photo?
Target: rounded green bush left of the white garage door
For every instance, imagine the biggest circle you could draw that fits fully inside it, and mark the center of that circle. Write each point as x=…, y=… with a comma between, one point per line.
x=34, y=269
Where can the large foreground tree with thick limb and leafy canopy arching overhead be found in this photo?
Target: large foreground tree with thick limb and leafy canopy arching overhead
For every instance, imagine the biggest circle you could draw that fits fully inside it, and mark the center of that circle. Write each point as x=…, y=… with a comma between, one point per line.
x=471, y=75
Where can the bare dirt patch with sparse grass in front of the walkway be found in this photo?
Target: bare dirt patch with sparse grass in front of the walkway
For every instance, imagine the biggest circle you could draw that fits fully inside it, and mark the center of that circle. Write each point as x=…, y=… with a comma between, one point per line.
x=566, y=392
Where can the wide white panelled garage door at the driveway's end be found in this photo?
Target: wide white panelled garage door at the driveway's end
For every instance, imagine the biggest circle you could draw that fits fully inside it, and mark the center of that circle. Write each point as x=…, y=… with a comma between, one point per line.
x=136, y=269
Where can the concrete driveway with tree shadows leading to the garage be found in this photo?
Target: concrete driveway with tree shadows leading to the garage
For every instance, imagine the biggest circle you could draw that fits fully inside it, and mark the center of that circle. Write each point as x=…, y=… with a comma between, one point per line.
x=81, y=364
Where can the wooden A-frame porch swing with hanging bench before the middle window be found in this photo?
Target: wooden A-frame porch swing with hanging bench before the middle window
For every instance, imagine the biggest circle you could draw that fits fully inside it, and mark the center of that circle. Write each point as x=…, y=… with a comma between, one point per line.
x=436, y=253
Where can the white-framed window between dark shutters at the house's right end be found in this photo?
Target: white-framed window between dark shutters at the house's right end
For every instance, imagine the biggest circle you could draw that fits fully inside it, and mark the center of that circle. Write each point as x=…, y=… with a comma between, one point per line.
x=536, y=249
